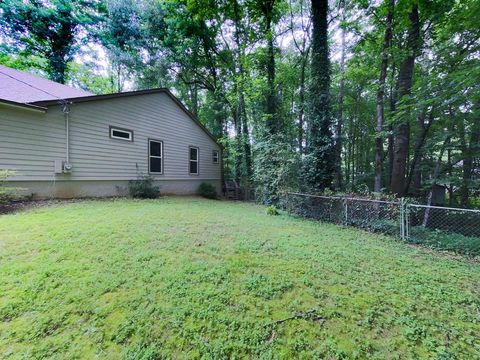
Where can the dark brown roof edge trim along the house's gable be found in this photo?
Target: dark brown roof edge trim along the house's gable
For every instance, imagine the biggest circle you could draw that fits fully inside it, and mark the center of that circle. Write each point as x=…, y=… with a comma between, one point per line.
x=131, y=93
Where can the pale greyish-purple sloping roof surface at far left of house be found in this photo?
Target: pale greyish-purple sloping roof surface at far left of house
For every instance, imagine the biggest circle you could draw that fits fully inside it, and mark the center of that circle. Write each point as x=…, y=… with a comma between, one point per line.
x=22, y=87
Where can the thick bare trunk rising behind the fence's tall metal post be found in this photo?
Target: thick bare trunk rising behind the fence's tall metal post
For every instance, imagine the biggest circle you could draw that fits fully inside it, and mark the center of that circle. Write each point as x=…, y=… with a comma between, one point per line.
x=404, y=85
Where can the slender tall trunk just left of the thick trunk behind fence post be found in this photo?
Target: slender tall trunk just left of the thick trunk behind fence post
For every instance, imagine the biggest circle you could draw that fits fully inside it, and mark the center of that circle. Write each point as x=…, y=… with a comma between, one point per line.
x=380, y=99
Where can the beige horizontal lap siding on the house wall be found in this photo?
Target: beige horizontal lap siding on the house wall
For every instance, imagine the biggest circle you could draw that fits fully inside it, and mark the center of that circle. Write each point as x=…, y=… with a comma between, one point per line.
x=96, y=156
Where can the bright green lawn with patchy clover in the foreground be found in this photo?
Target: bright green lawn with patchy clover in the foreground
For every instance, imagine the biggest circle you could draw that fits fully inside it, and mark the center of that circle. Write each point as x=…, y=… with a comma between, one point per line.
x=191, y=278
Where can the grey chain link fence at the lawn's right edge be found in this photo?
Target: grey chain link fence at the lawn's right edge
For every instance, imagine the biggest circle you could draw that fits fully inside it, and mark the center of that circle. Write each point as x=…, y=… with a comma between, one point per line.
x=443, y=228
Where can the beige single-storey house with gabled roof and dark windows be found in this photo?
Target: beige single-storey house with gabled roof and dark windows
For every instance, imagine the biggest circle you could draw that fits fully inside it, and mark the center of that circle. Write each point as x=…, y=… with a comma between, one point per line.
x=65, y=142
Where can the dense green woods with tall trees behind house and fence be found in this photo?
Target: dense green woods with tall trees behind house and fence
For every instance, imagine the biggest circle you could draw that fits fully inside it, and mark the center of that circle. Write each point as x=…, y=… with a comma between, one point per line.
x=348, y=95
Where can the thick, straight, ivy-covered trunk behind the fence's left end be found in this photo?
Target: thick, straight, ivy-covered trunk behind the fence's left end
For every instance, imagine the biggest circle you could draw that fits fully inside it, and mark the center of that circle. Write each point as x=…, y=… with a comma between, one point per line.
x=320, y=160
